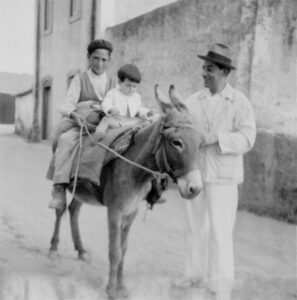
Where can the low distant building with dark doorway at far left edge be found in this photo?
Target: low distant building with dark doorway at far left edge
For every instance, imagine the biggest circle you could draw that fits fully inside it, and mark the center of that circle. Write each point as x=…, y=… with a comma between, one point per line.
x=13, y=87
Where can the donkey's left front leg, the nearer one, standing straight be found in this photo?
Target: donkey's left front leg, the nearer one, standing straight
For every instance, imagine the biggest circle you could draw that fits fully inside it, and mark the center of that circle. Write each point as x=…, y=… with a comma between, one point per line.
x=115, y=251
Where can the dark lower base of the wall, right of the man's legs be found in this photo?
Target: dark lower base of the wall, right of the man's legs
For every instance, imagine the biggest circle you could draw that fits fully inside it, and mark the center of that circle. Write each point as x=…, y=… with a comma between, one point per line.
x=270, y=186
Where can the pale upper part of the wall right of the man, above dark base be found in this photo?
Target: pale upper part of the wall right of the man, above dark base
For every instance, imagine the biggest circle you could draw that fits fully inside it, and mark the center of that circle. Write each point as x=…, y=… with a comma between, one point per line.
x=273, y=86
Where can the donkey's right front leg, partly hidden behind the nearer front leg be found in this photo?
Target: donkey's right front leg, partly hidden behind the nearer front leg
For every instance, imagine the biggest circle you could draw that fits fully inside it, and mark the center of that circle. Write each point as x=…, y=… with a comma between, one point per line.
x=126, y=225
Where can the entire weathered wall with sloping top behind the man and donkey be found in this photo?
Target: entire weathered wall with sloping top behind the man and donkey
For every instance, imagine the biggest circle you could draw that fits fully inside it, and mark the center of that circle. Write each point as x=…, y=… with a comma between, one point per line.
x=165, y=43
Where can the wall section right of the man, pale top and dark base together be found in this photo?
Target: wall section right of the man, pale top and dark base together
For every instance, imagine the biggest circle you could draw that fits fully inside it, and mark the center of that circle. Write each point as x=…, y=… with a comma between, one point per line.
x=271, y=178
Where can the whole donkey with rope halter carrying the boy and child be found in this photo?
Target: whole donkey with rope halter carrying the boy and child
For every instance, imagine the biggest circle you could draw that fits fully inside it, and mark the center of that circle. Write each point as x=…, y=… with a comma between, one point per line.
x=169, y=145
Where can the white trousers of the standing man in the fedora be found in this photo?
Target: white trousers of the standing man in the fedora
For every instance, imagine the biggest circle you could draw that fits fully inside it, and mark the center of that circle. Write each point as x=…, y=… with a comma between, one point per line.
x=209, y=234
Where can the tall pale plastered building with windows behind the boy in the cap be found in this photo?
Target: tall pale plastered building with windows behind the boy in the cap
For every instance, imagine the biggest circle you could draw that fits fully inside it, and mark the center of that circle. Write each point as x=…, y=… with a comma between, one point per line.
x=64, y=29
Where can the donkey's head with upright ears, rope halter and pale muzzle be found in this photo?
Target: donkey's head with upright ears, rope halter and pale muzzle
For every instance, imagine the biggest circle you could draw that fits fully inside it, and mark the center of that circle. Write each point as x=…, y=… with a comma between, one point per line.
x=178, y=152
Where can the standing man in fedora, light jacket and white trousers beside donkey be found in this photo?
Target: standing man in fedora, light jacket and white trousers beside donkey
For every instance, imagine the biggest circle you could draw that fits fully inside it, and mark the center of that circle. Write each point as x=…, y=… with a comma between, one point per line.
x=225, y=118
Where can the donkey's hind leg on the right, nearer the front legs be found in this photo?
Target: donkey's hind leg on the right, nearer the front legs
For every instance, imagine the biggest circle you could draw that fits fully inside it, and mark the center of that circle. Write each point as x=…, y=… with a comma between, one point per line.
x=74, y=209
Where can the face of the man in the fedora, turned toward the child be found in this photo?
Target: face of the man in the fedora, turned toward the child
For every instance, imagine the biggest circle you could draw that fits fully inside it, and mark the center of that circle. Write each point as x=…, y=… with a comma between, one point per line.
x=212, y=75
